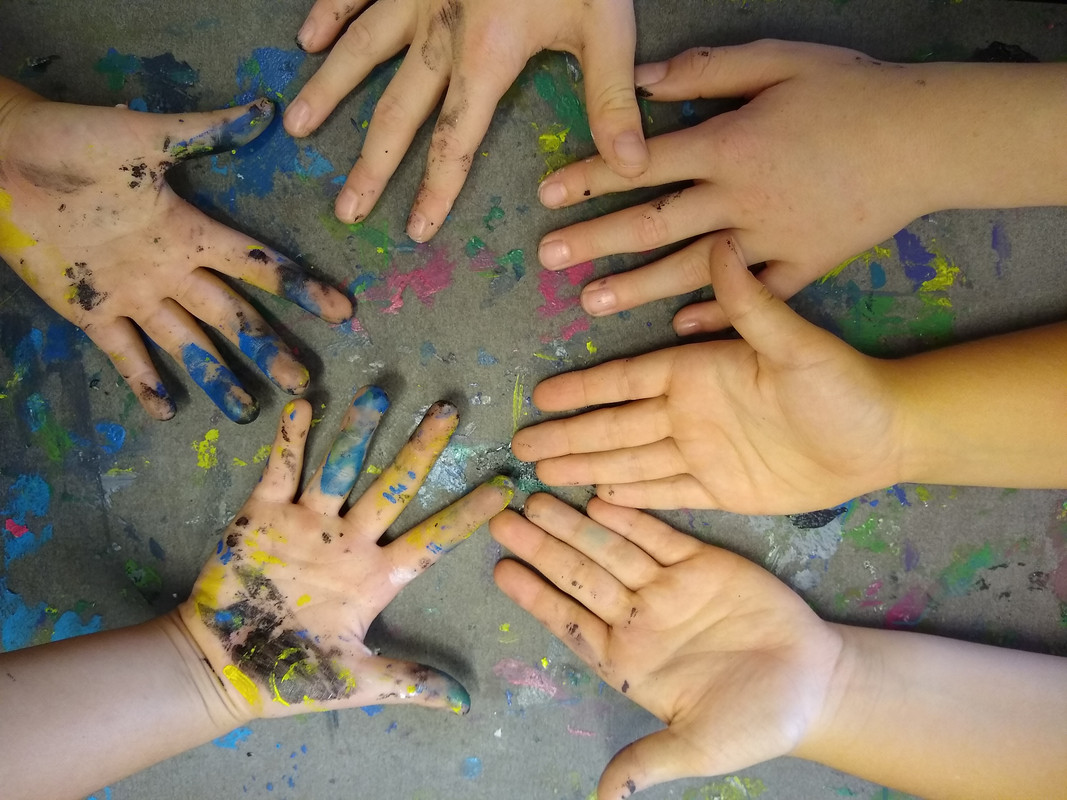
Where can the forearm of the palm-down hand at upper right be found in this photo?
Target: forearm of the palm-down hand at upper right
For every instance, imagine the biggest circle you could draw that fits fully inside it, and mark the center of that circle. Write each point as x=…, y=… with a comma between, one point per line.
x=1009, y=152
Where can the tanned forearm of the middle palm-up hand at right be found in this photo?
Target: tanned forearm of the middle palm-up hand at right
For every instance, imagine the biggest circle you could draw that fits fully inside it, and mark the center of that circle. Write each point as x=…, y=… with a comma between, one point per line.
x=989, y=413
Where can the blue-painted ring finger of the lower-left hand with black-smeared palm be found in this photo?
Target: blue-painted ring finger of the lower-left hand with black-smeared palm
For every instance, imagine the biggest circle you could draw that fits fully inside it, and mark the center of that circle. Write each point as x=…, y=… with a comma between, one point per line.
x=339, y=473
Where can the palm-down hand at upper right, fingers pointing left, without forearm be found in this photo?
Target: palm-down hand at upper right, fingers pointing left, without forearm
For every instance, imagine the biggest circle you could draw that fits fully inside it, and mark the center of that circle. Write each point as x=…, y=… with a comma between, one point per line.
x=798, y=177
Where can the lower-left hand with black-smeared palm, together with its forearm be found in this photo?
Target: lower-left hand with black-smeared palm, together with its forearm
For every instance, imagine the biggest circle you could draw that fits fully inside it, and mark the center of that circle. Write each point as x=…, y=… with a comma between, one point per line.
x=275, y=626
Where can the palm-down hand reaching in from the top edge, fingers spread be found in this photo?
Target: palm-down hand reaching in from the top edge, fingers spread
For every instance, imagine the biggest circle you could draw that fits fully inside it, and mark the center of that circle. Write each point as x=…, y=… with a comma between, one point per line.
x=476, y=50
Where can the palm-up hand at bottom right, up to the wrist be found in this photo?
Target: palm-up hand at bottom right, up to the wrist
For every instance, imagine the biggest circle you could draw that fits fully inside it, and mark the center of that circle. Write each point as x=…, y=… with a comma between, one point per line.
x=736, y=664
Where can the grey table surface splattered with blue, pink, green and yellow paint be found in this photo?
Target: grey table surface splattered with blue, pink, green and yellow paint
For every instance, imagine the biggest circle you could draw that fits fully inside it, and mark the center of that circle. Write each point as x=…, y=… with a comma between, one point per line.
x=107, y=516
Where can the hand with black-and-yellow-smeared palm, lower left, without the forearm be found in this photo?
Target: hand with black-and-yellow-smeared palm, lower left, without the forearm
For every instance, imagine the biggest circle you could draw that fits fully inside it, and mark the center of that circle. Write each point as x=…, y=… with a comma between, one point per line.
x=281, y=612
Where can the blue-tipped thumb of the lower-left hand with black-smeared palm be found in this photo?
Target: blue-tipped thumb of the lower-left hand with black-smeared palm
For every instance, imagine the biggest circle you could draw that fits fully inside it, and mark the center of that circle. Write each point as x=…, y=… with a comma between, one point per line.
x=390, y=682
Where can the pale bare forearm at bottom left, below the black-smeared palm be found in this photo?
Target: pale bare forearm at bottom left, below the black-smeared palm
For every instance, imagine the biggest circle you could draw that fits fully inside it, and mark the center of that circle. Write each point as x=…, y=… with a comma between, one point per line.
x=113, y=703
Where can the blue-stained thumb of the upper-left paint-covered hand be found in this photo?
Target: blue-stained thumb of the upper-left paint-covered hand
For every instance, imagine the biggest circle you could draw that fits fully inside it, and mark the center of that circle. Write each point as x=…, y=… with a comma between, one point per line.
x=182, y=137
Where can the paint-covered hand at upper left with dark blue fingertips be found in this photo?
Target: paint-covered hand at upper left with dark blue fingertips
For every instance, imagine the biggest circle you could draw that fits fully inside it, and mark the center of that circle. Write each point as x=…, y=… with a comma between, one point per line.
x=89, y=222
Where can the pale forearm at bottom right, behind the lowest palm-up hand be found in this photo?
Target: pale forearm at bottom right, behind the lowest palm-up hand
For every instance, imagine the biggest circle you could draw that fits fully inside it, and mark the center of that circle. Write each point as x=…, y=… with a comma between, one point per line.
x=944, y=718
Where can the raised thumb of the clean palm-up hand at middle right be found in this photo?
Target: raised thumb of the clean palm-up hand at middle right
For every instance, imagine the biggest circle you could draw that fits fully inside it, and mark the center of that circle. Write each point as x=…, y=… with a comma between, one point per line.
x=767, y=324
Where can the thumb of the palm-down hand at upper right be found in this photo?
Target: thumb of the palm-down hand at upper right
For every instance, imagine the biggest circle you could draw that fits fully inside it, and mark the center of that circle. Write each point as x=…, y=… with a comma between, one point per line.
x=742, y=71
